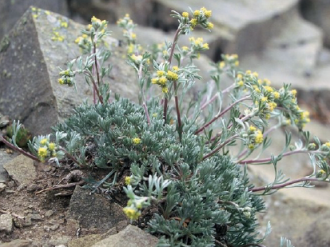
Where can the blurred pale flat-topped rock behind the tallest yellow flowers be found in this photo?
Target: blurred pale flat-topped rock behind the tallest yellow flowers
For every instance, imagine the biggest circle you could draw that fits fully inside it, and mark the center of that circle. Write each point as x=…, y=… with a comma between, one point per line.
x=243, y=26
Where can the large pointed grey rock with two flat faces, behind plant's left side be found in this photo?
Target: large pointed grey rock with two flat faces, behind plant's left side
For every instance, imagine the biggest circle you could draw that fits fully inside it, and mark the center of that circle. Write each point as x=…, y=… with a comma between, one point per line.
x=29, y=89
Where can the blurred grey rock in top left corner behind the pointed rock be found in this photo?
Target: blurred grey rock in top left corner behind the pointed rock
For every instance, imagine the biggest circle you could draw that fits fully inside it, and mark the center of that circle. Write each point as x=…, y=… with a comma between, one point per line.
x=11, y=11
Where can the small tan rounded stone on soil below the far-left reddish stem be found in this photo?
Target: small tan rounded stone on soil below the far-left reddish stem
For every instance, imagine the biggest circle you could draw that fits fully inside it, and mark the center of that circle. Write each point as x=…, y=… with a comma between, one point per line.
x=21, y=170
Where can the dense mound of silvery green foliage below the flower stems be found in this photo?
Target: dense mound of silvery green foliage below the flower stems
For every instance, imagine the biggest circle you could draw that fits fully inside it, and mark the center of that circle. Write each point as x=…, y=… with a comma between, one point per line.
x=197, y=202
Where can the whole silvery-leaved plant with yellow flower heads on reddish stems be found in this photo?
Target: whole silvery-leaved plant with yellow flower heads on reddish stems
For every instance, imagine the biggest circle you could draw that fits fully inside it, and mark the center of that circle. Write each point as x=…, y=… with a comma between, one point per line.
x=183, y=180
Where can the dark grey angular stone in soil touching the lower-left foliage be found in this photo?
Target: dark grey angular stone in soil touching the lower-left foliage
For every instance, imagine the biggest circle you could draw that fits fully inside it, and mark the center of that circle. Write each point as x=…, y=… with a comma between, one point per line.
x=93, y=210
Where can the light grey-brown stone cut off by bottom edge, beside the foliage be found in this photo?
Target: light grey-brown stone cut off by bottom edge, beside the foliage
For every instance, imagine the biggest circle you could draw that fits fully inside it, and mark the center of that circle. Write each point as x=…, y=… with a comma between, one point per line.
x=131, y=236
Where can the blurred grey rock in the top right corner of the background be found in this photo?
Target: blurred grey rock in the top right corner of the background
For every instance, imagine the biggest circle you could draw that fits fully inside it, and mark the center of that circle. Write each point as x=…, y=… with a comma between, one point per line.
x=318, y=12
